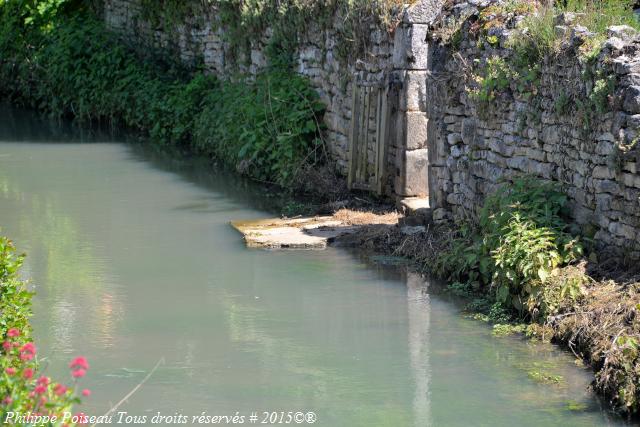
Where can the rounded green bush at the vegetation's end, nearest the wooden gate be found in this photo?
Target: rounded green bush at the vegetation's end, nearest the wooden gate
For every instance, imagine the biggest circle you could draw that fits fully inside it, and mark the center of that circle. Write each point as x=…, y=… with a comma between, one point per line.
x=269, y=128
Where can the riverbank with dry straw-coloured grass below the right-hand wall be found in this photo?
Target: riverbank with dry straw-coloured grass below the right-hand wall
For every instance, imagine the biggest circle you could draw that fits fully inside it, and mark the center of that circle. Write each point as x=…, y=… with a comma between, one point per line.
x=598, y=322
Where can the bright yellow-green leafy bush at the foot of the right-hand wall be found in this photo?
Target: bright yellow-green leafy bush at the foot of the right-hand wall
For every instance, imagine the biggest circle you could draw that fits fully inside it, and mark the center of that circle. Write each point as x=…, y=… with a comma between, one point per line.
x=519, y=241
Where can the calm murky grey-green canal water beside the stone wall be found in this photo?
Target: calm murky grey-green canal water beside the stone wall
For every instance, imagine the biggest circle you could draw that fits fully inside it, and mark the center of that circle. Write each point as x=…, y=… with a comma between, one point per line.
x=134, y=262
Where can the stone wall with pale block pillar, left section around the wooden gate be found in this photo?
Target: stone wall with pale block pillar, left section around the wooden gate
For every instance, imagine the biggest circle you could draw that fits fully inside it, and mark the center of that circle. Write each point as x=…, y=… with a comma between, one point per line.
x=395, y=59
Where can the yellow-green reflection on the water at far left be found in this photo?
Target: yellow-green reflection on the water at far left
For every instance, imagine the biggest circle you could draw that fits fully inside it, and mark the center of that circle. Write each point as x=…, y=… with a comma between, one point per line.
x=63, y=263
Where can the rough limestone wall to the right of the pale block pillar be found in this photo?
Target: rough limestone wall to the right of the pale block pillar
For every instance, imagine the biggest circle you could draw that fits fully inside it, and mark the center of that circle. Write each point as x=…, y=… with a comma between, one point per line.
x=475, y=146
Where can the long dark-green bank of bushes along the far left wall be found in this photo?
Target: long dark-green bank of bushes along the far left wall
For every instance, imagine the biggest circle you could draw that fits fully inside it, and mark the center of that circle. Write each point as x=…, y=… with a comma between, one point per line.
x=268, y=128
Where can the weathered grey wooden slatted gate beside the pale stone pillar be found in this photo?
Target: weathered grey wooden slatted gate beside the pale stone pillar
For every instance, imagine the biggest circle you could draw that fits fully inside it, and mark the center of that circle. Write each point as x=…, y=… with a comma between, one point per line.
x=368, y=136
